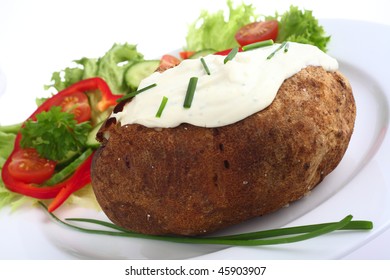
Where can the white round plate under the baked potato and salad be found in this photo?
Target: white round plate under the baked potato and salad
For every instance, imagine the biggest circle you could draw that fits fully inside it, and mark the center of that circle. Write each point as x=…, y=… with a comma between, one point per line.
x=359, y=185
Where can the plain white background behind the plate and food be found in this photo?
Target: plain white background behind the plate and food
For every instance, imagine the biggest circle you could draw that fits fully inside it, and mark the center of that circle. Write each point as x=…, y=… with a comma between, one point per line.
x=44, y=36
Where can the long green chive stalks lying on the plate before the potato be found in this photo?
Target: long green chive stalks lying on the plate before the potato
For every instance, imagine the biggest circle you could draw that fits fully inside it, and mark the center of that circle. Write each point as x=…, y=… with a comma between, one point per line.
x=258, y=238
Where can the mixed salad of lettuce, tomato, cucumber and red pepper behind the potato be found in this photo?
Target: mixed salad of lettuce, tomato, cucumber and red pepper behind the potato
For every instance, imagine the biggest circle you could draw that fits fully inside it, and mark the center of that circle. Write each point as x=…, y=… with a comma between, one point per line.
x=48, y=156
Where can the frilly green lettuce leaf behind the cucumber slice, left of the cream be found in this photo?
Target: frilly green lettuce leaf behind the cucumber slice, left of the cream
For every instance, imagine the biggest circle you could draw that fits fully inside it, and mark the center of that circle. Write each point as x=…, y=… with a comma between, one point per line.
x=111, y=67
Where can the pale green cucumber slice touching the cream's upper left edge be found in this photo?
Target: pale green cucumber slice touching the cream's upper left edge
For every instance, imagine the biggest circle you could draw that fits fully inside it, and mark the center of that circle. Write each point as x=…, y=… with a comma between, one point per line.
x=140, y=70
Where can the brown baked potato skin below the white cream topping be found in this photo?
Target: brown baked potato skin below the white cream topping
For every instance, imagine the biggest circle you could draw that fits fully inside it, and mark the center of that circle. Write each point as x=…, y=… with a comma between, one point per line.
x=190, y=180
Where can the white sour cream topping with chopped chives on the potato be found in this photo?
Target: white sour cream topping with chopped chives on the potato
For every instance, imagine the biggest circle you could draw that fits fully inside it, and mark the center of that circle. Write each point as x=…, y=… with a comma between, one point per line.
x=233, y=91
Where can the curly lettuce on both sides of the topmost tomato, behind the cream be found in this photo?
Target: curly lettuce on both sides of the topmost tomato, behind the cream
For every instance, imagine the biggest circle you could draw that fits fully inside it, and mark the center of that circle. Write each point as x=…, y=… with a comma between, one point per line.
x=212, y=31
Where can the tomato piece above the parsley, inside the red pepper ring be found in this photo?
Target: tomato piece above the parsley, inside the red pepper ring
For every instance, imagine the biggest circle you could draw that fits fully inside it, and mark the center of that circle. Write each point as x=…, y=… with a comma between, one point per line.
x=77, y=104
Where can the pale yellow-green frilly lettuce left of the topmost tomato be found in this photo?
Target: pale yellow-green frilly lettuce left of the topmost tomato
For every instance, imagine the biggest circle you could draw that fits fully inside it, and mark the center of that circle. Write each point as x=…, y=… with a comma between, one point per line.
x=212, y=31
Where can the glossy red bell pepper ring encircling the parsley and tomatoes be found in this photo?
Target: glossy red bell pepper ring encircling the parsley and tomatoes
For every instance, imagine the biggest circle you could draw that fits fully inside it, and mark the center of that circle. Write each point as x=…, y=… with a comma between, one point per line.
x=81, y=176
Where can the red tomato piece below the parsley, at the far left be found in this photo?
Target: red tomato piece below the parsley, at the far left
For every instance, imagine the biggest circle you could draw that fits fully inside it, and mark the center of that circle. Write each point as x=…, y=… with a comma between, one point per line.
x=27, y=166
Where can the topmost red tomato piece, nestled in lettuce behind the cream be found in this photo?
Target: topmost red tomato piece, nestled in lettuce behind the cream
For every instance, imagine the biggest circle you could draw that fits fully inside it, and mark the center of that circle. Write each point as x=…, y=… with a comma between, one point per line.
x=257, y=31
